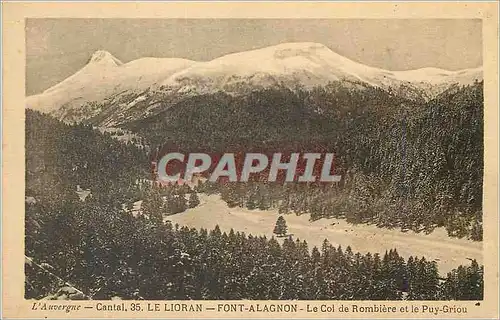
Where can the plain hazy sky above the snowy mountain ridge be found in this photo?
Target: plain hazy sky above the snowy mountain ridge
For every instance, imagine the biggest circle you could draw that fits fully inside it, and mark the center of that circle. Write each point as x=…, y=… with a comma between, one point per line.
x=56, y=48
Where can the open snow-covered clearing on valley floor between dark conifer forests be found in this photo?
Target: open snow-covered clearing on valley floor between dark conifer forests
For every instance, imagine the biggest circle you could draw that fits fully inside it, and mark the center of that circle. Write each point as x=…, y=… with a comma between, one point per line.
x=448, y=252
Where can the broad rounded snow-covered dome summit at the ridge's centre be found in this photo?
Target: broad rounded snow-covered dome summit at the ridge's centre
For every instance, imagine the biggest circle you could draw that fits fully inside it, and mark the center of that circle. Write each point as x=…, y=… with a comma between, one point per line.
x=308, y=64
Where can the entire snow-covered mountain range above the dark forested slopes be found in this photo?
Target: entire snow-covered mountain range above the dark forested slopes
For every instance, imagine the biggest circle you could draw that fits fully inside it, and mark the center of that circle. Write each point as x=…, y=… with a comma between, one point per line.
x=114, y=92
